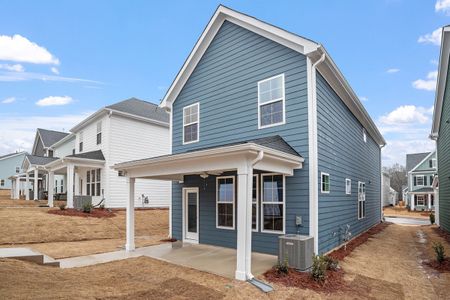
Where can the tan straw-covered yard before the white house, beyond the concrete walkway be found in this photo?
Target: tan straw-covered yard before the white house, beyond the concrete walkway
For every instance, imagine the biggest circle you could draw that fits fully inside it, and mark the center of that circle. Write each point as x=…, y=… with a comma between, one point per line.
x=65, y=236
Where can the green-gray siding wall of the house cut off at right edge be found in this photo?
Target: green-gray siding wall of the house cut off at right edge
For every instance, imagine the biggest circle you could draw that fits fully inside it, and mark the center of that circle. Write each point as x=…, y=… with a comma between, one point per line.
x=443, y=150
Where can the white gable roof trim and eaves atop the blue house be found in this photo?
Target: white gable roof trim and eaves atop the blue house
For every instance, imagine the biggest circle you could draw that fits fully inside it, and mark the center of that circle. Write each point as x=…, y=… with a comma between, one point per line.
x=313, y=50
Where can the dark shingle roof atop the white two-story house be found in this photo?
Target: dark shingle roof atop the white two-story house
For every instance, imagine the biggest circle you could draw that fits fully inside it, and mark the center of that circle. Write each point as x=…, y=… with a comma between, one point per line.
x=141, y=108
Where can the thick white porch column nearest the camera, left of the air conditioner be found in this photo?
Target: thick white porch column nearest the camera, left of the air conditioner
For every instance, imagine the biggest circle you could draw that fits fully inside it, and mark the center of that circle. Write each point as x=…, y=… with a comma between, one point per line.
x=244, y=223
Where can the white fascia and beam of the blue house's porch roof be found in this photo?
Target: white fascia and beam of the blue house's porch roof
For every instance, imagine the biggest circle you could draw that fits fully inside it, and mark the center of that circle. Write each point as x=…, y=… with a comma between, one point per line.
x=216, y=160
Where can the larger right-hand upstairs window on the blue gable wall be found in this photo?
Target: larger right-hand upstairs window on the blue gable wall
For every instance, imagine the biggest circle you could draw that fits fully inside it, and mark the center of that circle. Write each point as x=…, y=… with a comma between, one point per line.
x=271, y=102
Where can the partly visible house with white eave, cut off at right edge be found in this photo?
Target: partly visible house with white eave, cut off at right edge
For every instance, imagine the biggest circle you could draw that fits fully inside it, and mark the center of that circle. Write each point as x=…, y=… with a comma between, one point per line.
x=441, y=132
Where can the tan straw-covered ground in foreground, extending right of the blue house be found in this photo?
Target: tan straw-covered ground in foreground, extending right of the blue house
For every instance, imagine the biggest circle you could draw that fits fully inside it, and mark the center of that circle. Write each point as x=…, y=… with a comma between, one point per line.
x=389, y=266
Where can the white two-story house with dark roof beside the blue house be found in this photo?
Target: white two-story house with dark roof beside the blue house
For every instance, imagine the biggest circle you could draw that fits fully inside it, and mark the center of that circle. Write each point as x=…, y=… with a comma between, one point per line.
x=79, y=163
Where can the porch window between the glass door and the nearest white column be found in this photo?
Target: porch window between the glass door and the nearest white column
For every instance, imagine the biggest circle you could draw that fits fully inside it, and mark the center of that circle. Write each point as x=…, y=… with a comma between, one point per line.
x=225, y=202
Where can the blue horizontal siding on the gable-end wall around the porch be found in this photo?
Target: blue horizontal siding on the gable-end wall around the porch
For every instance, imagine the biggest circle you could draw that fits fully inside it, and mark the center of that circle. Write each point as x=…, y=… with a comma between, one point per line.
x=225, y=84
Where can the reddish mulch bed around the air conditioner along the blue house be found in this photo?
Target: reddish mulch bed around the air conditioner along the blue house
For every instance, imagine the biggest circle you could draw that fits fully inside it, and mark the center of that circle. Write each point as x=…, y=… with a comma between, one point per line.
x=334, y=277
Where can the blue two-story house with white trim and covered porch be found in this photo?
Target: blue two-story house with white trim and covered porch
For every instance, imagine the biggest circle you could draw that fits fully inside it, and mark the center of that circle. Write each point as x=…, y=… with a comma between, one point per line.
x=267, y=139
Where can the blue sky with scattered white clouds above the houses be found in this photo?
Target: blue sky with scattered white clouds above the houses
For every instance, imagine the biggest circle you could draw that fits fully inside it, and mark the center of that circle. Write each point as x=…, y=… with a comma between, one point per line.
x=88, y=54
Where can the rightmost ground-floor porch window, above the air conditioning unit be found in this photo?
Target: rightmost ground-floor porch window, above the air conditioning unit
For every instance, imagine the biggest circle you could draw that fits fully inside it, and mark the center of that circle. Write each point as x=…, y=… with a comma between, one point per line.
x=272, y=201
